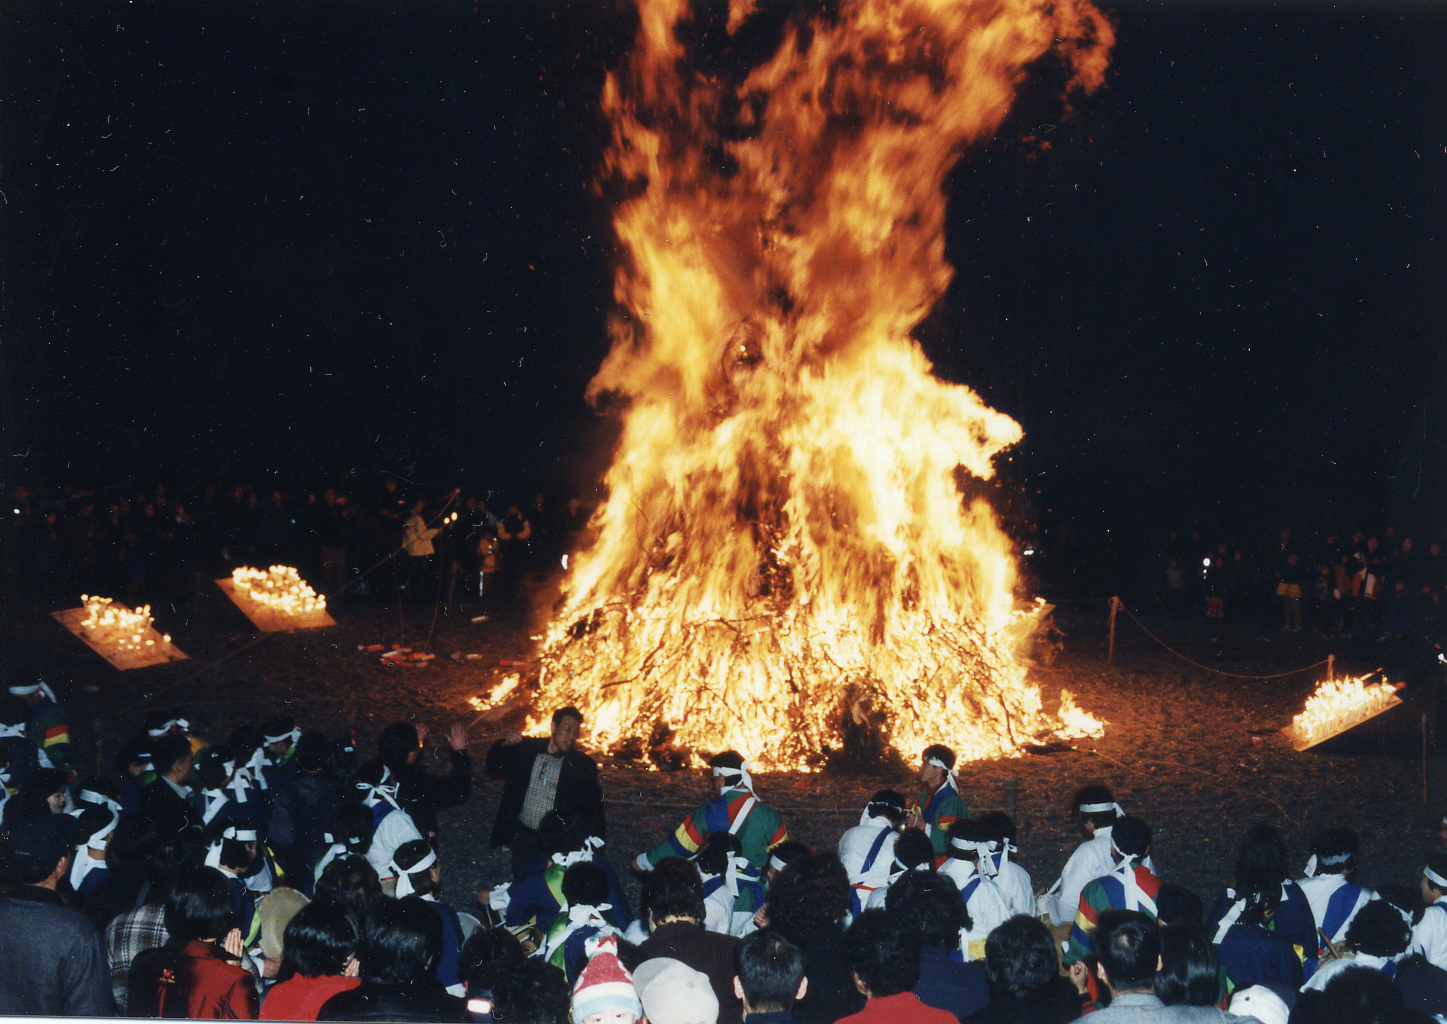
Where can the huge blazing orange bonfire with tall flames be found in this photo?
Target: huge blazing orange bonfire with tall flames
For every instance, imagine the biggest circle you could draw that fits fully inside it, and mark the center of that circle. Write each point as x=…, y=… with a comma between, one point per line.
x=785, y=552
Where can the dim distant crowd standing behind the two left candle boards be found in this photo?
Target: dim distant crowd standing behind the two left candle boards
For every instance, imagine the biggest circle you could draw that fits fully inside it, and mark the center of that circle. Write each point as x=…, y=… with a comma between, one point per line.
x=154, y=545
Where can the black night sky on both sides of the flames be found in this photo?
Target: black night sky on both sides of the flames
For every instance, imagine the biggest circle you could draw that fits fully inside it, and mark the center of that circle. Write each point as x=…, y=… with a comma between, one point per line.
x=273, y=241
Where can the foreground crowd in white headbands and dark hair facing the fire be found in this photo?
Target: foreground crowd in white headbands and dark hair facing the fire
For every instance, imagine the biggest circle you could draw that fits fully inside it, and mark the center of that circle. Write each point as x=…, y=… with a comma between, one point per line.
x=280, y=876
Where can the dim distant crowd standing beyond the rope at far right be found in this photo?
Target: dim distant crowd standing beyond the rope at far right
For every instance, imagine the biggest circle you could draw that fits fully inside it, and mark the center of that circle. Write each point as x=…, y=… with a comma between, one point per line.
x=1333, y=585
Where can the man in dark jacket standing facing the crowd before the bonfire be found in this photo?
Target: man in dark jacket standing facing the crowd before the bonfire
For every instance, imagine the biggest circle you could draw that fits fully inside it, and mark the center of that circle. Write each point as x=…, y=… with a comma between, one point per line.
x=540, y=776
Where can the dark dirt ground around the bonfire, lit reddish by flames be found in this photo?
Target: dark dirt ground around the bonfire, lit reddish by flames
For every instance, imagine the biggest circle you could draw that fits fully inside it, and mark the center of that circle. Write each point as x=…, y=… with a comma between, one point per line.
x=1194, y=753
